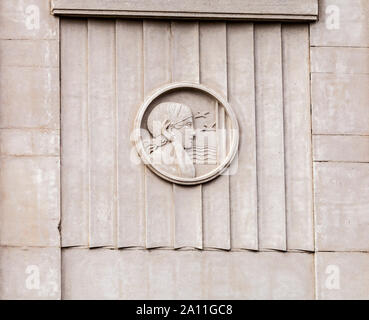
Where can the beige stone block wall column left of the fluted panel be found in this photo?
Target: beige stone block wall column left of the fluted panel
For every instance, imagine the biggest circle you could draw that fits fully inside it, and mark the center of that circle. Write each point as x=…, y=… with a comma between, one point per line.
x=29, y=151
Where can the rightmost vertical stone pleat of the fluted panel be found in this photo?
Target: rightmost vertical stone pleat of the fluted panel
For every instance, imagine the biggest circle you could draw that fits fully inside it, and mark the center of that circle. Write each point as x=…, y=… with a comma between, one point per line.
x=297, y=127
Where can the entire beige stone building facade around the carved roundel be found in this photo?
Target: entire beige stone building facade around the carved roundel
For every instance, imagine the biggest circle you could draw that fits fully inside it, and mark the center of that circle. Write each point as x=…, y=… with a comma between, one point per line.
x=81, y=218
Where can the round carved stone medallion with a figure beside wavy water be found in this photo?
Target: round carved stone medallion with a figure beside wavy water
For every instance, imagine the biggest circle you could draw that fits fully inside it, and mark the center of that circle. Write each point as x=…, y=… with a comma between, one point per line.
x=186, y=133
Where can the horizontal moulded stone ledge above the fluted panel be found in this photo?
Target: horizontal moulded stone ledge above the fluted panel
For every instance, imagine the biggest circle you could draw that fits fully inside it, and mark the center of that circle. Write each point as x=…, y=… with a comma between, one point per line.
x=250, y=10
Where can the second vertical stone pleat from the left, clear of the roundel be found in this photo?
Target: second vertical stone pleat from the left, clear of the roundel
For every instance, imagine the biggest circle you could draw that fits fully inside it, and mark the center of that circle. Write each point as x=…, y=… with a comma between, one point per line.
x=101, y=101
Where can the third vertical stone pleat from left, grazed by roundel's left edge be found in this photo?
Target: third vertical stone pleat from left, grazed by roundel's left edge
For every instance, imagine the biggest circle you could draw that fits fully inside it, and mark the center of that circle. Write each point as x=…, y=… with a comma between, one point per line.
x=131, y=215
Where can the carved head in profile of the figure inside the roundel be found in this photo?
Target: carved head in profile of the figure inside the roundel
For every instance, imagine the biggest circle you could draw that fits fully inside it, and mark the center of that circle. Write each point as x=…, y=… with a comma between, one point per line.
x=169, y=121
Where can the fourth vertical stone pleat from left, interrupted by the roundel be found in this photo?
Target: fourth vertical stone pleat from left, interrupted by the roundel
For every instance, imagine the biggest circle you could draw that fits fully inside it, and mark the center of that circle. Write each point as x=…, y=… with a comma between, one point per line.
x=159, y=193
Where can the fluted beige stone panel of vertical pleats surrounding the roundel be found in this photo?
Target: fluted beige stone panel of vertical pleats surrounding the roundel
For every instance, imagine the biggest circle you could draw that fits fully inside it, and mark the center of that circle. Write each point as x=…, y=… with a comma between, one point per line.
x=97, y=147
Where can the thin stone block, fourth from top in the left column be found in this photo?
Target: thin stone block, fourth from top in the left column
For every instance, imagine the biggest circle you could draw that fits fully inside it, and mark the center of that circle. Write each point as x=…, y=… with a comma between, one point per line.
x=27, y=142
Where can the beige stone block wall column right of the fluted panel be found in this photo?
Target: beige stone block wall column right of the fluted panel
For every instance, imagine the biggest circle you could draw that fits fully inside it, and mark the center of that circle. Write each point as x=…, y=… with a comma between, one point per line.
x=340, y=109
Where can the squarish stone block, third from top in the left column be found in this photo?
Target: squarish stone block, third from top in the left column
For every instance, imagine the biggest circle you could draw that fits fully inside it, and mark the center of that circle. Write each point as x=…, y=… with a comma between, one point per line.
x=29, y=97
